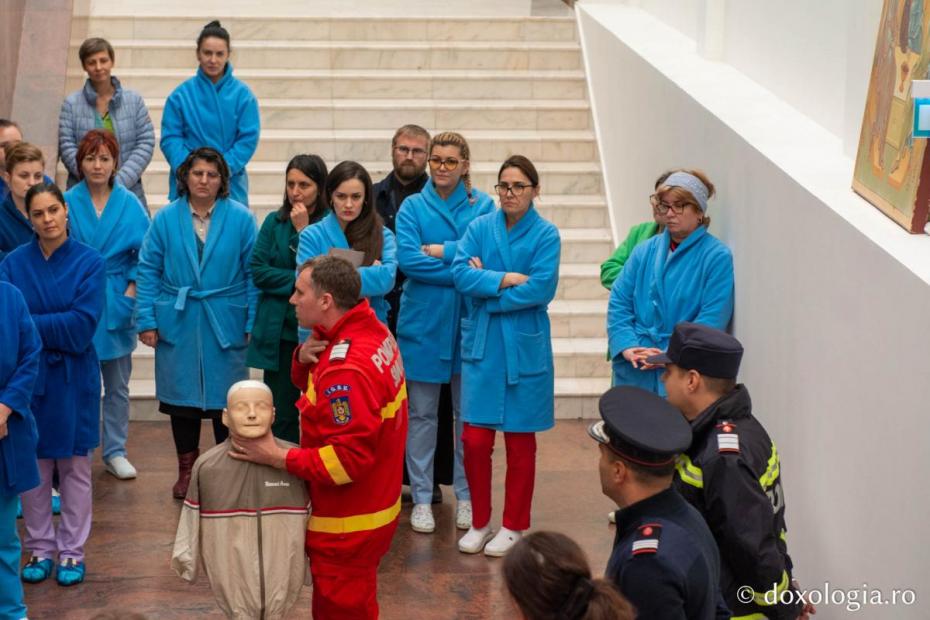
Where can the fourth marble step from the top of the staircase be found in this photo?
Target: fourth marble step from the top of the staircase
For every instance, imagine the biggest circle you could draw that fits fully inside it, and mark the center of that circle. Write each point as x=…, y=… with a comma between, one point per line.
x=351, y=115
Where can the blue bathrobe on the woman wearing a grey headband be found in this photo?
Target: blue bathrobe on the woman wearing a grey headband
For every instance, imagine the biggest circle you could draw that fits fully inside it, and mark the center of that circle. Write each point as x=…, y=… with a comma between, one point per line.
x=658, y=289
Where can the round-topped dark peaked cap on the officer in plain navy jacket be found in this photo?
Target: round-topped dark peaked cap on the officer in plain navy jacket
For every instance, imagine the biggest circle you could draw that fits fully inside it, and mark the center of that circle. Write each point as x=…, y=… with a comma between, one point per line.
x=641, y=426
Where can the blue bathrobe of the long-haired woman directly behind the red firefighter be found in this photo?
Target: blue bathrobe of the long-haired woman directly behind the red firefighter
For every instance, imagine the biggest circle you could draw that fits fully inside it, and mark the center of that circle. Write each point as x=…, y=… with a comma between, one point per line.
x=377, y=280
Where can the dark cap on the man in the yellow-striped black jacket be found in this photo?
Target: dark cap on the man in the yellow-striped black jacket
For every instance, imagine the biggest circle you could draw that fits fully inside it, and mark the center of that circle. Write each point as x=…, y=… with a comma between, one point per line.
x=709, y=351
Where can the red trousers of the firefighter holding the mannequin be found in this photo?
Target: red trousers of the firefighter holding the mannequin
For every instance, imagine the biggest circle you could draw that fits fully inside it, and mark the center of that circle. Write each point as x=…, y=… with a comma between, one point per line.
x=342, y=592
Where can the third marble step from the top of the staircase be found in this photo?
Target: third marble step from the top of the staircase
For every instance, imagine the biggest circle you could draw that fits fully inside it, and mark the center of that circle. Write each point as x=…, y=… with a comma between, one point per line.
x=379, y=84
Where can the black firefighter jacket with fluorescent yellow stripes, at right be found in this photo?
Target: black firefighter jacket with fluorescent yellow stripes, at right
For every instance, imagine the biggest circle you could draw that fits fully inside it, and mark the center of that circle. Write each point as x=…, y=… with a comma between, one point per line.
x=732, y=475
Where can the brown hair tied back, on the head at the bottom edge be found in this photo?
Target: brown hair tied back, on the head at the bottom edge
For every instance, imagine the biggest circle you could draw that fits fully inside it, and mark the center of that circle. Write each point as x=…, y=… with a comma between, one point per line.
x=548, y=577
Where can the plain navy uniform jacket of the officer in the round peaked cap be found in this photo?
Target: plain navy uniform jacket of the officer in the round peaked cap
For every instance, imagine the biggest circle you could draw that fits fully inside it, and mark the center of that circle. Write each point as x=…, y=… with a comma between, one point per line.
x=665, y=560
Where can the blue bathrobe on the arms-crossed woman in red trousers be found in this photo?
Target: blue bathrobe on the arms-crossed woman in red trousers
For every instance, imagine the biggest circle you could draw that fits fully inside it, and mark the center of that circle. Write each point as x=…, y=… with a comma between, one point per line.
x=508, y=378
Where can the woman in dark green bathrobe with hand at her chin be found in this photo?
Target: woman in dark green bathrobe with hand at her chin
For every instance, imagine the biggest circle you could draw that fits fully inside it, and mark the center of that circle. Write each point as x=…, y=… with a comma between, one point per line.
x=274, y=335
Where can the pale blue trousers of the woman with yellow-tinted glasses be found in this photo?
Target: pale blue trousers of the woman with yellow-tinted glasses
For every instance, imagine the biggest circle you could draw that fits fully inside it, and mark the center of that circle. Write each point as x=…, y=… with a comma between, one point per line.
x=423, y=400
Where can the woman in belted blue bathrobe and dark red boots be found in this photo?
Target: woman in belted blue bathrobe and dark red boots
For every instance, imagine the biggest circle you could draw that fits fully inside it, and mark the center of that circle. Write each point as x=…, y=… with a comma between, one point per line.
x=196, y=302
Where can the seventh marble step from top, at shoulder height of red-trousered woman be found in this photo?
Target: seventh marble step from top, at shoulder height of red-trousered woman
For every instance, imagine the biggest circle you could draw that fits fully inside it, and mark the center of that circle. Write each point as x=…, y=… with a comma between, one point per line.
x=563, y=211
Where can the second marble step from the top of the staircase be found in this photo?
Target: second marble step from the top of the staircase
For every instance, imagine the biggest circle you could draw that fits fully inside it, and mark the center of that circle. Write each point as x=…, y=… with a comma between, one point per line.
x=258, y=54
